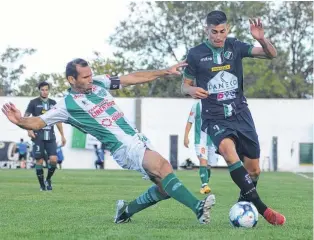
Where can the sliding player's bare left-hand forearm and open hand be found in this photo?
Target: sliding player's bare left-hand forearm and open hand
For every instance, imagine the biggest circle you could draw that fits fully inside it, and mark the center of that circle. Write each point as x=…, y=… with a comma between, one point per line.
x=14, y=115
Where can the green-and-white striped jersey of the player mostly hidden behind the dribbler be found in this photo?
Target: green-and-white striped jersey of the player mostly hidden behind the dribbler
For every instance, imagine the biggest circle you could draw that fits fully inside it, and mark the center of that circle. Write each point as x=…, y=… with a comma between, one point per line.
x=195, y=118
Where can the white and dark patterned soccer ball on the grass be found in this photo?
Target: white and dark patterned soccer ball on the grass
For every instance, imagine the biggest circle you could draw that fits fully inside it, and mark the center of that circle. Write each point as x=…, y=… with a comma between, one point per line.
x=243, y=214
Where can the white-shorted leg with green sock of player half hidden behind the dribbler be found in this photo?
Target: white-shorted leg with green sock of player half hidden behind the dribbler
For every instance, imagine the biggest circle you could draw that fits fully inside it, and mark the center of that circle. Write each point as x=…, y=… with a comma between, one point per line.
x=201, y=152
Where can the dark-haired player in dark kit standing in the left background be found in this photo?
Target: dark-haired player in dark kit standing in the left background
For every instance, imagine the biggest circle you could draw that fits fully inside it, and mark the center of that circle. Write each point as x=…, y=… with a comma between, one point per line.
x=44, y=139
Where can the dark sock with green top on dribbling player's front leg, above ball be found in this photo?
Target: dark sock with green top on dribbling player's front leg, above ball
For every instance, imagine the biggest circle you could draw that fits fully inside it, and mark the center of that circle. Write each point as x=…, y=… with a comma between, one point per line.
x=241, y=177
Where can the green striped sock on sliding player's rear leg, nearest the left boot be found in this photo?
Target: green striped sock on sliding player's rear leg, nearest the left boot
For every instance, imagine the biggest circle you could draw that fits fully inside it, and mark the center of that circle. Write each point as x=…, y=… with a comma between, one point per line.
x=147, y=199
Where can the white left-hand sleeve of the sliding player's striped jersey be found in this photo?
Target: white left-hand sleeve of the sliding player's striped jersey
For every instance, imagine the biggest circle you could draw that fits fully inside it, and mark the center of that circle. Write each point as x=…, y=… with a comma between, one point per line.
x=57, y=113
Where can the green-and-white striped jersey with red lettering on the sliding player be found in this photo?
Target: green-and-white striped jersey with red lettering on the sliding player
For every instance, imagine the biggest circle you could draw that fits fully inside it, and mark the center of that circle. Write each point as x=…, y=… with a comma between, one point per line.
x=95, y=113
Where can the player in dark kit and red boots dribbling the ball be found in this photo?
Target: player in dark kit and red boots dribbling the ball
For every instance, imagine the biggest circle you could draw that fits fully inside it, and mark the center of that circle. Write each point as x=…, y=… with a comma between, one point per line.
x=215, y=75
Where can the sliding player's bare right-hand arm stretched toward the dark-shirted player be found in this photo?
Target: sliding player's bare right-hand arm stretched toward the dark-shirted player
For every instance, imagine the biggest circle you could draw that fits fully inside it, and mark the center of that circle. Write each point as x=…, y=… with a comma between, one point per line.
x=148, y=76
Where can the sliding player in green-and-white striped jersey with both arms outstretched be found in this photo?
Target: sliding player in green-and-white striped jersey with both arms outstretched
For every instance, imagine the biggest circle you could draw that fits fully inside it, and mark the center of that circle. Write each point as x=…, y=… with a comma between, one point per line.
x=90, y=107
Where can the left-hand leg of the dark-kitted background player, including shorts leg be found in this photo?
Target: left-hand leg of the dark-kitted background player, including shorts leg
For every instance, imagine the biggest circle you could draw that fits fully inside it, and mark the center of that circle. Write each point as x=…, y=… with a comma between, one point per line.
x=38, y=151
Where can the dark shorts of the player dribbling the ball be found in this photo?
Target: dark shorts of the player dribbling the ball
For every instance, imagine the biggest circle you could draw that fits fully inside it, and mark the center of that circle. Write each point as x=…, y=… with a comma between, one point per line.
x=241, y=129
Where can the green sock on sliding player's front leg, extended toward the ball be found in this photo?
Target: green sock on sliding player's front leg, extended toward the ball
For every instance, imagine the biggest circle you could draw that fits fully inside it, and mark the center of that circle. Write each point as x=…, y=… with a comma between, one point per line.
x=175, y=189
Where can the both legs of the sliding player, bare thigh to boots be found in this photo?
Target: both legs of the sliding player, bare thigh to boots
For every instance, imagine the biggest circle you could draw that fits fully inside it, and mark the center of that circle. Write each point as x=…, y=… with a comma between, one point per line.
x=167, y=185
